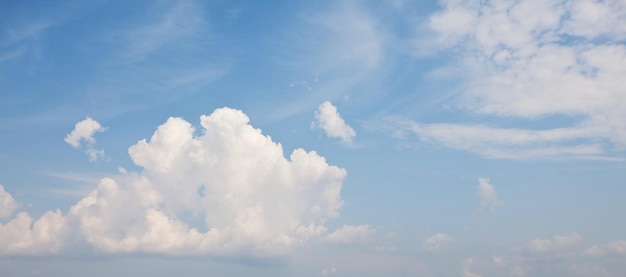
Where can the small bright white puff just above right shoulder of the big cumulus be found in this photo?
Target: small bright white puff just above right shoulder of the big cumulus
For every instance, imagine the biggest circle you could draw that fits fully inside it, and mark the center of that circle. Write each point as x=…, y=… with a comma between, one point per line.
x=328, y=119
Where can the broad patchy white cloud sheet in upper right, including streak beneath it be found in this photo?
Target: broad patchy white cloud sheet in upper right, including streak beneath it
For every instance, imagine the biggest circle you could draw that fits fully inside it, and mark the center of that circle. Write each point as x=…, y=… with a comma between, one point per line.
x=533, y=60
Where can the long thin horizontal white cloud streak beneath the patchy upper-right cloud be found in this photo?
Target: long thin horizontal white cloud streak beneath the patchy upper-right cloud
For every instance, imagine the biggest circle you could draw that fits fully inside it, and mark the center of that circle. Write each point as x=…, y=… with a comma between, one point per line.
x=507, y=143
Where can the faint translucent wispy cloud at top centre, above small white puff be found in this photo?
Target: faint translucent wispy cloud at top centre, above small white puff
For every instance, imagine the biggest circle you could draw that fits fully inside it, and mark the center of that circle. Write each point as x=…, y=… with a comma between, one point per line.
x=343, y=44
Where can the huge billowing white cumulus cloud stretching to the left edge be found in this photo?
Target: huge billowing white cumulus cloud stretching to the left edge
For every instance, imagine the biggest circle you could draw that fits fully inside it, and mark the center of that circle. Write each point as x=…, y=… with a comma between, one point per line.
x=228, y=190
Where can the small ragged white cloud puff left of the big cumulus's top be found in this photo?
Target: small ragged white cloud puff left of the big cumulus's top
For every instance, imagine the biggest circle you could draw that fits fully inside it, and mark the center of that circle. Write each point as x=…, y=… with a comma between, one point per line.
x=84, y=131
